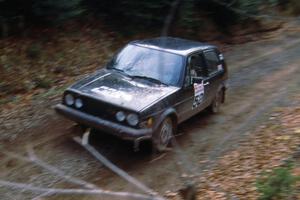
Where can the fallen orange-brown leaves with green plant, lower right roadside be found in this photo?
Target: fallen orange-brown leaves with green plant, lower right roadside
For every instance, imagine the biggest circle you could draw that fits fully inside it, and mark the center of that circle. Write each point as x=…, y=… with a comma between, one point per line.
x=265, y=166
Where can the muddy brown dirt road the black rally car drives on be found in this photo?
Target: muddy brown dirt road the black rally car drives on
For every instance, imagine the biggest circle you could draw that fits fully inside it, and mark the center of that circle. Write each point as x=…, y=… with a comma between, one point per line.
x=263, y=76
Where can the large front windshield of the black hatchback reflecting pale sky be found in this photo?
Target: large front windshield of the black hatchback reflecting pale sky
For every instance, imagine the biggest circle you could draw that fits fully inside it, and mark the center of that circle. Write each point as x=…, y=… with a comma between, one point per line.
x=141, y=62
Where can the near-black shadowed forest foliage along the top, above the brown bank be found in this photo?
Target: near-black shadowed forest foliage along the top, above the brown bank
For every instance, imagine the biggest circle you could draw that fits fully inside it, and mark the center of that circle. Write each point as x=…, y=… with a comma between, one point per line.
x=134, y=15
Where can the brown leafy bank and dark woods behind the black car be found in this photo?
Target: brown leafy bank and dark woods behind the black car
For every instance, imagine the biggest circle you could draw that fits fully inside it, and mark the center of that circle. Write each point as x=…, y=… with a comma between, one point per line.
x=47, y=44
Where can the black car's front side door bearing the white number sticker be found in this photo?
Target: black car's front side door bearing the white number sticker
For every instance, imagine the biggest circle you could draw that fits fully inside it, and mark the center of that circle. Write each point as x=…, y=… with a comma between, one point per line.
x=193, y=97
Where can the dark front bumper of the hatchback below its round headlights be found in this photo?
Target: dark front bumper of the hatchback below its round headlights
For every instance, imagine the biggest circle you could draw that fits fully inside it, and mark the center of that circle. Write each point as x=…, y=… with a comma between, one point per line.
x=113, y=128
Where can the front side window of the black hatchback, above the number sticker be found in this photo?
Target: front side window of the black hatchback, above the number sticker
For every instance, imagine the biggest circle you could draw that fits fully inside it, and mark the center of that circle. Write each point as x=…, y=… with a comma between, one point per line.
x=195, y=68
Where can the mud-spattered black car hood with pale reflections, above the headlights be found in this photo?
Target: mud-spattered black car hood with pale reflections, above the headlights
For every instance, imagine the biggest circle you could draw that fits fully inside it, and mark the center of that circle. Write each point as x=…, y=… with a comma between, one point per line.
x=116, y=88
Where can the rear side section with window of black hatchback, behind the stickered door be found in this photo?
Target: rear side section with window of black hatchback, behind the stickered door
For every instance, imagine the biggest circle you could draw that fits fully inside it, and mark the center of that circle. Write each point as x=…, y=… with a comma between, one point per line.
x=215, y=70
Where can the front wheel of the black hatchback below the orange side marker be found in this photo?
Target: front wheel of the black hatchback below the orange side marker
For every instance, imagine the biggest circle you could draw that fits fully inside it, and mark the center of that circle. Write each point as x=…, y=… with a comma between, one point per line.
x=162, y=137
